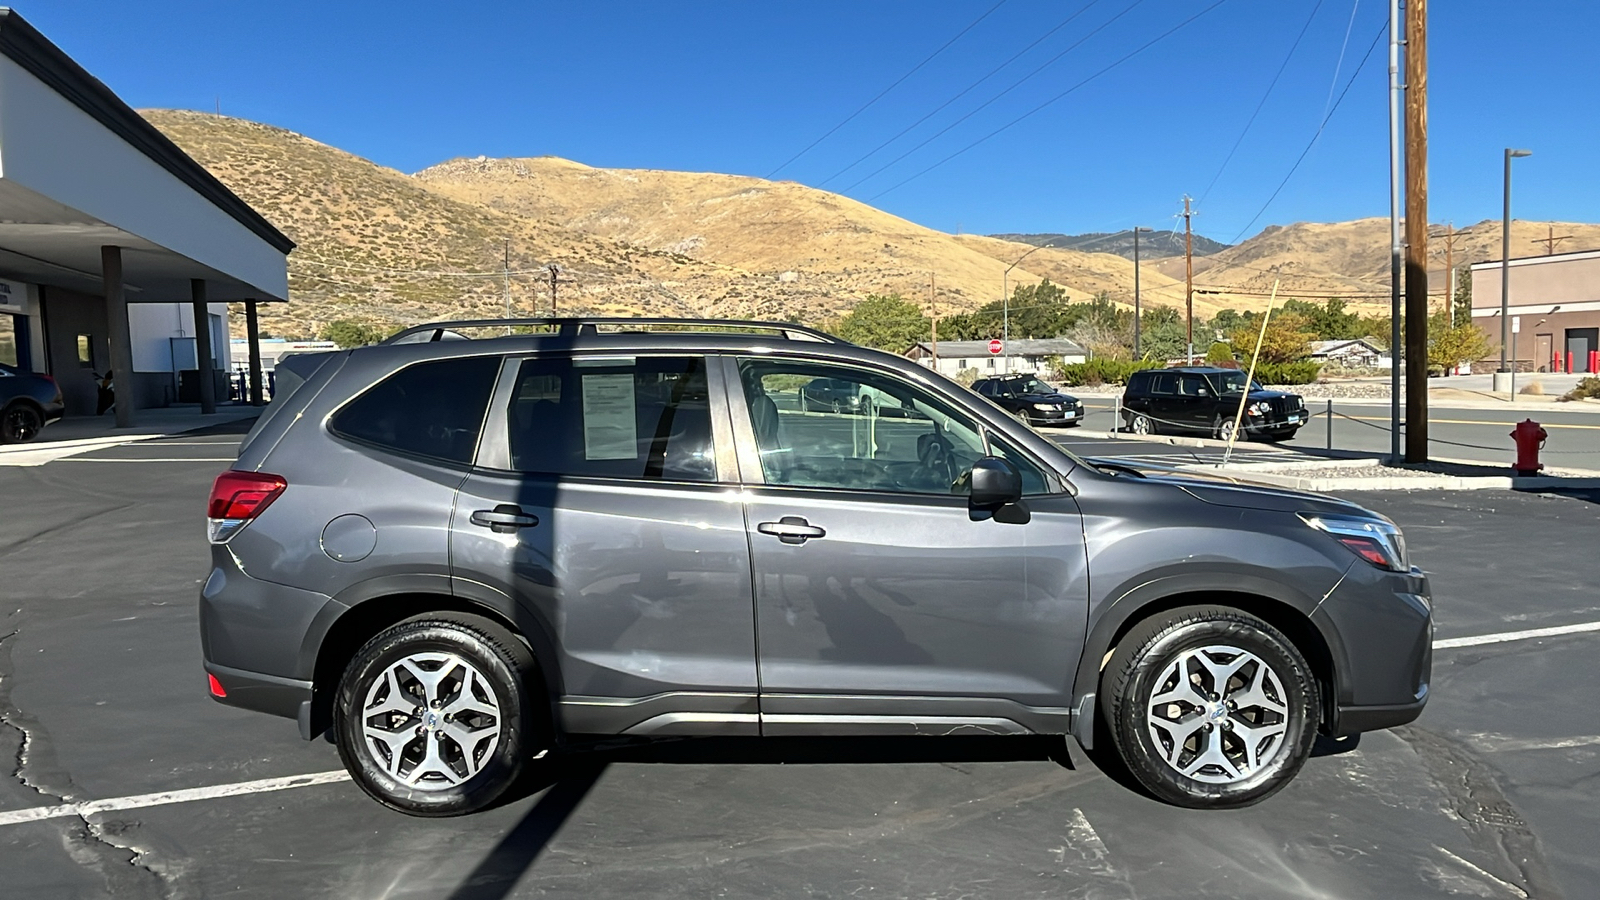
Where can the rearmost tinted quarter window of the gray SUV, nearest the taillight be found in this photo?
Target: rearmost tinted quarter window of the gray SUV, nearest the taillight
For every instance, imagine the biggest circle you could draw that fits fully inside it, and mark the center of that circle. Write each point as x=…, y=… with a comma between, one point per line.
x=431, y=409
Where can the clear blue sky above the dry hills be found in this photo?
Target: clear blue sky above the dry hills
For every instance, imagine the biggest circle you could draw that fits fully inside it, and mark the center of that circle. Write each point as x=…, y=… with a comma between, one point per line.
x=743, y=87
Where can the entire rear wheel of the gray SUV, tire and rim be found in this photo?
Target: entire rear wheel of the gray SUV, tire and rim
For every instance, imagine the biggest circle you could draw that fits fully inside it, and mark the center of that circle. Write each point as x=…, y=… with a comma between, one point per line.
x=436, y=717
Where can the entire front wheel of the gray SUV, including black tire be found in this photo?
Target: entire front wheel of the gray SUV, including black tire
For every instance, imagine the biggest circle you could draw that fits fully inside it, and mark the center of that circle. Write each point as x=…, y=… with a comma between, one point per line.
x=1167, y=648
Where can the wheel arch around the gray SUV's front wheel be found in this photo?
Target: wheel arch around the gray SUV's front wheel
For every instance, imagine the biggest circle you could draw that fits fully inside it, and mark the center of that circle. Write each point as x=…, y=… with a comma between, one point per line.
x=1268, y=606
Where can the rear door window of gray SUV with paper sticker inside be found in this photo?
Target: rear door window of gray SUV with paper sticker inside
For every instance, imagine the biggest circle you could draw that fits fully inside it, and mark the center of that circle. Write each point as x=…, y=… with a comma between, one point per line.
x=630, y=419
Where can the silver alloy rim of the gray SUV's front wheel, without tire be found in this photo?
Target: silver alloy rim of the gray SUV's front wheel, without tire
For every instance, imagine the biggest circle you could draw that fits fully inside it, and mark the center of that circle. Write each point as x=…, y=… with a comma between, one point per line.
x=1218, y=715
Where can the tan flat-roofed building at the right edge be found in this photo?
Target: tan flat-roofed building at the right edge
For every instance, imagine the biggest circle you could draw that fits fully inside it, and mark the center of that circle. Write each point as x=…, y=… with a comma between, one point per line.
x=1554, y=310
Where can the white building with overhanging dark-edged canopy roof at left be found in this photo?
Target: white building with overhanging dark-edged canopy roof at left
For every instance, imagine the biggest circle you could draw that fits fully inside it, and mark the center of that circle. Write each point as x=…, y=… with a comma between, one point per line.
x=118, y=251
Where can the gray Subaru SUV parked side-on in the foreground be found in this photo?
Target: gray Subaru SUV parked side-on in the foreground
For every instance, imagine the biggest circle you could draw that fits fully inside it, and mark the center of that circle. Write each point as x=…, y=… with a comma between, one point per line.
x=460, y=555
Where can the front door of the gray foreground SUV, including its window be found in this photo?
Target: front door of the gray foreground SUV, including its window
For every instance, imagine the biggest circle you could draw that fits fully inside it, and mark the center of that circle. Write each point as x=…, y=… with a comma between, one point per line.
x=884, y=601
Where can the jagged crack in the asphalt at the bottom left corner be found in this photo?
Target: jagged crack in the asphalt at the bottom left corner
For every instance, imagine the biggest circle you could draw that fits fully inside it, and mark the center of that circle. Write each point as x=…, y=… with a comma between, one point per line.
x=98, y=846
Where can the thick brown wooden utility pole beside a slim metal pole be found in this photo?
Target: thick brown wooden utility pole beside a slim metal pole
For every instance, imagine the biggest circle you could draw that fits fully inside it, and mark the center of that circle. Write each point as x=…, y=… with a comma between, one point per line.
x=1417, y=231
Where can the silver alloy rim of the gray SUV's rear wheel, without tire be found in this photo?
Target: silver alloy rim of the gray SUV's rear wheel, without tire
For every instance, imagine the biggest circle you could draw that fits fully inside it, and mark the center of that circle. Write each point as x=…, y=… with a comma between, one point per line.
x=431, y=721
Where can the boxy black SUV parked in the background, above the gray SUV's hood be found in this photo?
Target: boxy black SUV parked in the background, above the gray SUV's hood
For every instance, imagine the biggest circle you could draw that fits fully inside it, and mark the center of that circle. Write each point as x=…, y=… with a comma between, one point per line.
x=1204, y=400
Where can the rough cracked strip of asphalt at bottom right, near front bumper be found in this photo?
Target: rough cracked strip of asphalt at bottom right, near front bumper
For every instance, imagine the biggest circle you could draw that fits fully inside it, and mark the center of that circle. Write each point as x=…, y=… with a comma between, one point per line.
x=1497, y=830
